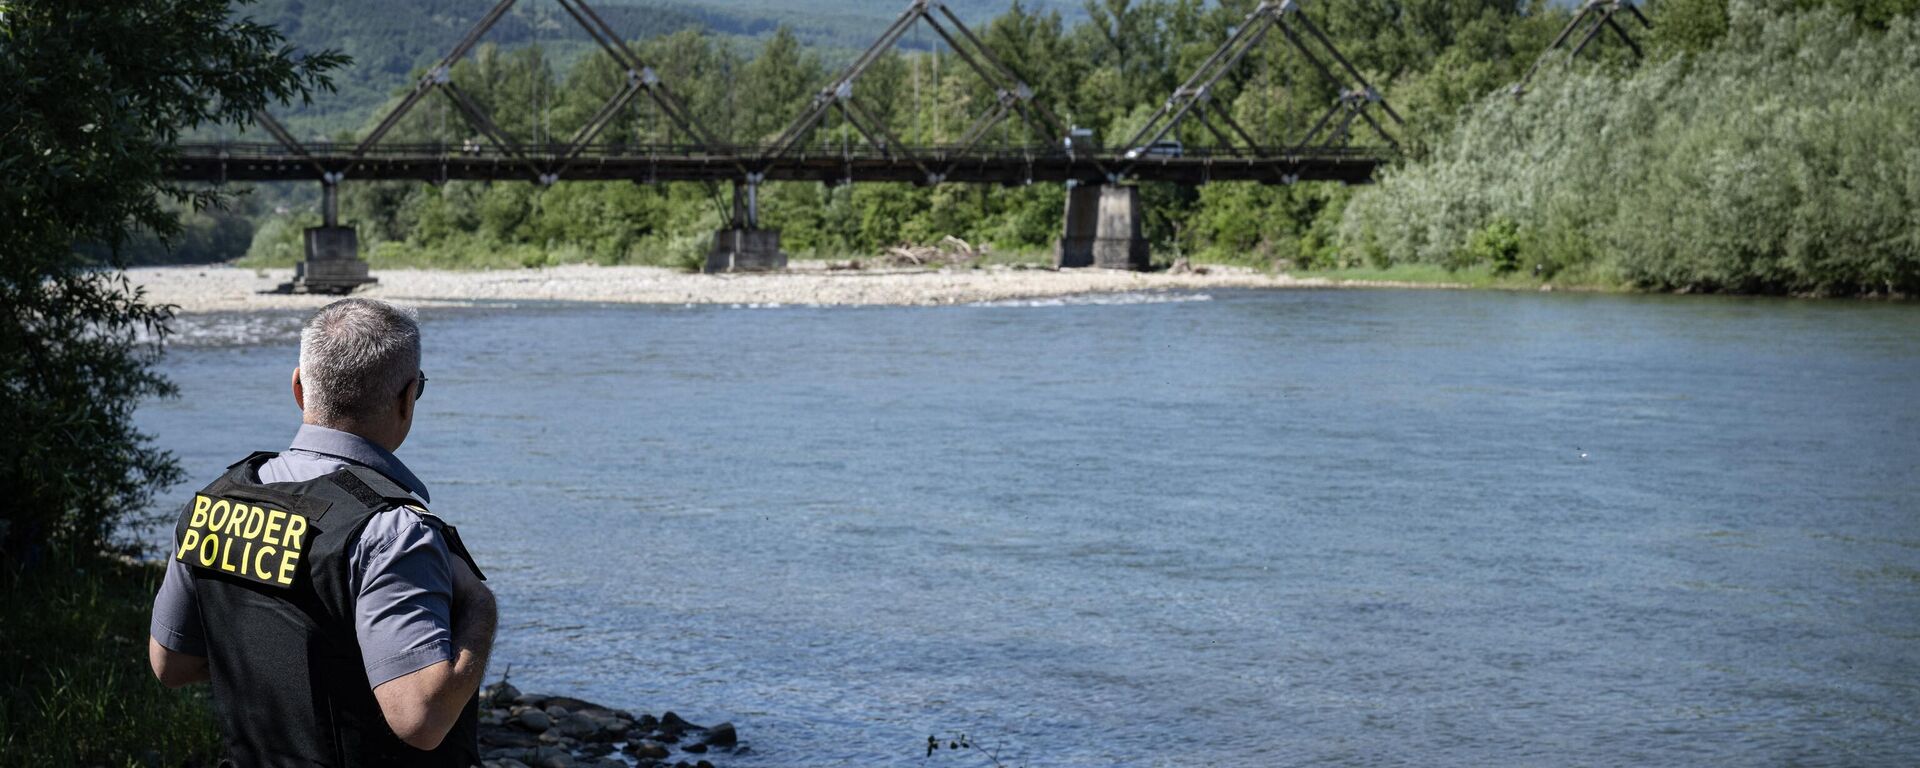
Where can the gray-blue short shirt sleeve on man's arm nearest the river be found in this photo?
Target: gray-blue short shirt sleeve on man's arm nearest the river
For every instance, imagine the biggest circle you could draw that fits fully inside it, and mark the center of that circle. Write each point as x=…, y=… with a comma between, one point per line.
x=406, y=592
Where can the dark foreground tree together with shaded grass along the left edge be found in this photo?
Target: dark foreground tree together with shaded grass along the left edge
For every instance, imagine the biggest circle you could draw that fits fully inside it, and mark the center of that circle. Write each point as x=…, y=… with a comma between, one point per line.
x=87, y=122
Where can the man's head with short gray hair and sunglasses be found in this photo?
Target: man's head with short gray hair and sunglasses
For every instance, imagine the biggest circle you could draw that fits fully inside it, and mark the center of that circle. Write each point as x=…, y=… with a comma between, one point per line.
x=360, y=370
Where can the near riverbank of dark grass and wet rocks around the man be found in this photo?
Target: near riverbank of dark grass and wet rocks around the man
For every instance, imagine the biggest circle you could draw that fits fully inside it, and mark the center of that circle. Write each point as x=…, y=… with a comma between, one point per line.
x=76, y=692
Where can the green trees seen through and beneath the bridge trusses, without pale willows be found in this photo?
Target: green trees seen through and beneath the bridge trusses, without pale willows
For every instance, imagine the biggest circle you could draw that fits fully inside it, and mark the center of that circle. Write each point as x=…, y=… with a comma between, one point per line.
x=1107, y=74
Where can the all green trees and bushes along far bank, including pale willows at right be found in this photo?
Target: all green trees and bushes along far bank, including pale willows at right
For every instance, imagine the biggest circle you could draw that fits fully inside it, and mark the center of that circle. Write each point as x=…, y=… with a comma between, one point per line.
x=1760, y=147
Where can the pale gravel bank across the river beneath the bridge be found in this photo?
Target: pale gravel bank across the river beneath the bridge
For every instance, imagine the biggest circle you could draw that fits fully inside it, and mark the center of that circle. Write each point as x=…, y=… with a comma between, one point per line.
x=809, y=283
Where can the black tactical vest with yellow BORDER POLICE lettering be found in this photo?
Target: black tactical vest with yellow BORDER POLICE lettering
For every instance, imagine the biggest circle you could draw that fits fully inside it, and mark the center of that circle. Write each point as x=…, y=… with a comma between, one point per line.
x=276, y=598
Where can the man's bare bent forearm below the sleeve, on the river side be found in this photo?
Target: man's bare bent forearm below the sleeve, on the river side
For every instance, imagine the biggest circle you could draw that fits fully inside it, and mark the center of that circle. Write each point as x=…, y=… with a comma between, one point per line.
x=423, y=706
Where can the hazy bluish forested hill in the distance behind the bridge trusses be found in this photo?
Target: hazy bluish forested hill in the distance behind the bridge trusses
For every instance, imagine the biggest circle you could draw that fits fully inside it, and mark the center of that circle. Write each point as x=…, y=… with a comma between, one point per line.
x=395, y=39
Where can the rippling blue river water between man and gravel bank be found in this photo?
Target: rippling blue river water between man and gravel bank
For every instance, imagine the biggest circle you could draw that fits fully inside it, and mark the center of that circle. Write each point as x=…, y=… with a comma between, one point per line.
x=1266, y=529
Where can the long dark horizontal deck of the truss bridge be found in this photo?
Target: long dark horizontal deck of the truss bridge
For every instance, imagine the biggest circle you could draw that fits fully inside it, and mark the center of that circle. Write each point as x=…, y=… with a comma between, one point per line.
x=646, y=164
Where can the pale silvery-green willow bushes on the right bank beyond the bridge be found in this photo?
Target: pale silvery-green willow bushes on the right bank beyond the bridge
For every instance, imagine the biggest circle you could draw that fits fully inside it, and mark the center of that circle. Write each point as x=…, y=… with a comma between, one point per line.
x=1785, y=160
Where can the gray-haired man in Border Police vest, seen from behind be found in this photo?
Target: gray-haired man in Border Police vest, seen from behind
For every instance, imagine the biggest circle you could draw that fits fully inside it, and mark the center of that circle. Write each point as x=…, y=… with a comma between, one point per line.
x=339, y=623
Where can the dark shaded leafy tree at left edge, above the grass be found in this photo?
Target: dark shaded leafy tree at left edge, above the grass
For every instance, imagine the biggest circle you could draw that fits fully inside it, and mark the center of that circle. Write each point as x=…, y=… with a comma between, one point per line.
x=95, y=95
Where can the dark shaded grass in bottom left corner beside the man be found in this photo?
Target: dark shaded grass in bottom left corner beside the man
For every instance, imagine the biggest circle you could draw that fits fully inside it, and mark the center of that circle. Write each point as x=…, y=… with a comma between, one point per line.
x=76, y=688
